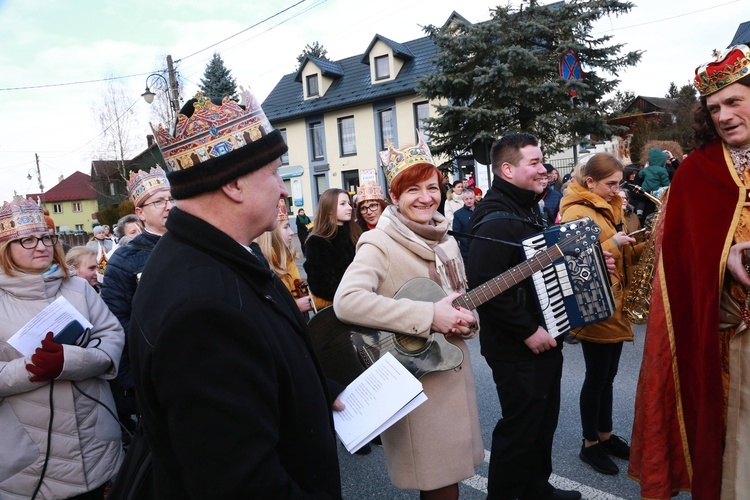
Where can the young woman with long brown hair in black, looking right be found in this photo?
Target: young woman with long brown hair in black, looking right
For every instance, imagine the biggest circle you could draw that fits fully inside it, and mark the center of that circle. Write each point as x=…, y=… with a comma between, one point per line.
x=330, y=247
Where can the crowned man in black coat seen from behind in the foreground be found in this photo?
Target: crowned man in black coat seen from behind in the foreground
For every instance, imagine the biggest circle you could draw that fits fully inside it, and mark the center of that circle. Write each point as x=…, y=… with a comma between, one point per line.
x=234, y=403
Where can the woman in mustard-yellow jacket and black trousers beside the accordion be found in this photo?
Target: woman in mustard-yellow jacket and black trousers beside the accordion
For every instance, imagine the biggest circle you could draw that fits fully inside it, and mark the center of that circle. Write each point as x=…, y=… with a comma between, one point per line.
x=595, y=195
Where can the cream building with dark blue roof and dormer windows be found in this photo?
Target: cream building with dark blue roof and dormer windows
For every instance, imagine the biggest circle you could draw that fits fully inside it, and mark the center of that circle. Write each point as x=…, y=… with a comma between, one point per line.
x=337, y=115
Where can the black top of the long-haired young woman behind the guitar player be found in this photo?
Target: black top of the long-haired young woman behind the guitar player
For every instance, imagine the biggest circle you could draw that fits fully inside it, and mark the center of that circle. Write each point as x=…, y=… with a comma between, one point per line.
x=326, y=261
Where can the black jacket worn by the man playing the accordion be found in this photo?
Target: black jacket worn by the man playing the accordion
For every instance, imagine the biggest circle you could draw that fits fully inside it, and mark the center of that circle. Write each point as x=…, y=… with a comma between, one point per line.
x=511, y=317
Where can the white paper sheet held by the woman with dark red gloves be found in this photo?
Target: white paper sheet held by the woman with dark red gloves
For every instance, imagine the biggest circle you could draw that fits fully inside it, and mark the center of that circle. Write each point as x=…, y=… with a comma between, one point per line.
x=53, y=318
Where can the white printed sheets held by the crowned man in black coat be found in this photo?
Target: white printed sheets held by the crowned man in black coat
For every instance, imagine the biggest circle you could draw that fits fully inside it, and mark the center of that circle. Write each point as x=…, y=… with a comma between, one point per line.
x=377, y=399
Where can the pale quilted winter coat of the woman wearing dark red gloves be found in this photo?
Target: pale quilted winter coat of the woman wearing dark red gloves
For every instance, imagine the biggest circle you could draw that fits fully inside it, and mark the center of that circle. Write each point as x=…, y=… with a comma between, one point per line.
x=86, y=450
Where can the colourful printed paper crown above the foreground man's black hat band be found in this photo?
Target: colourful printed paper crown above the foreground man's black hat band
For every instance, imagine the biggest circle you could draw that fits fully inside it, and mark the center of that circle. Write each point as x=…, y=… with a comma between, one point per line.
x=211, y=131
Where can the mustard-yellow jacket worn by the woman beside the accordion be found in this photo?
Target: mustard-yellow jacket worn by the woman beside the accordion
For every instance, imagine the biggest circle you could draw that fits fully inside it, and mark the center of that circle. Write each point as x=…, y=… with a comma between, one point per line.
x=580, y=202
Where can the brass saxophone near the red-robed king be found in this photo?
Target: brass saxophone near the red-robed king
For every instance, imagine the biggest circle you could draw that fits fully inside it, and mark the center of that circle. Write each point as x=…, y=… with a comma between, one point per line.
x=638, y=299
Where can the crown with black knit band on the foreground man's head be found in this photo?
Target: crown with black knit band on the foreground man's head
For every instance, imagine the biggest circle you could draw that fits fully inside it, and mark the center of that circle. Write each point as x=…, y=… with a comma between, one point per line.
x=215, y=143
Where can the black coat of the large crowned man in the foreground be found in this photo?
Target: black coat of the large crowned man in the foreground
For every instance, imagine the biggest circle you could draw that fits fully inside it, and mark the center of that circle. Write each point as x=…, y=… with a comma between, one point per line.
x=234, y=403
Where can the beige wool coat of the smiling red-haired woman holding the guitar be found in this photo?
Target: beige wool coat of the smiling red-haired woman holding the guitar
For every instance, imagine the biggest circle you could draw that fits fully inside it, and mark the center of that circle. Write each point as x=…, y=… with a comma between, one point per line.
x=440, y=442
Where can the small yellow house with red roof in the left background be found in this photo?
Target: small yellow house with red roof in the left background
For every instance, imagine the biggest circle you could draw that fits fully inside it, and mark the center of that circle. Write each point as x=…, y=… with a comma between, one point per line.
x=72, y=203
